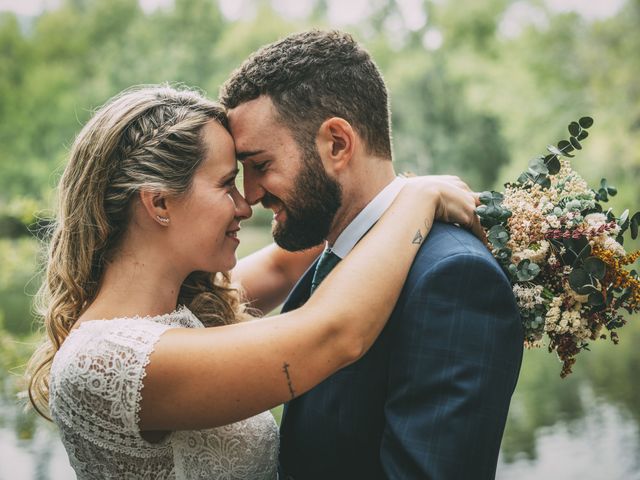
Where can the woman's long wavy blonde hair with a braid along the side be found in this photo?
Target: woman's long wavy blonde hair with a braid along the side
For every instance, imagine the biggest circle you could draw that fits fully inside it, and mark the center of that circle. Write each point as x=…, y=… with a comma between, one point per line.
x=145, y=137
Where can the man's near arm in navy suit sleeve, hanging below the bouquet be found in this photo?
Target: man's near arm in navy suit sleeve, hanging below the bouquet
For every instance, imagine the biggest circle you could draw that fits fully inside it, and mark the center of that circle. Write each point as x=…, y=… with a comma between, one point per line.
x=454, y=362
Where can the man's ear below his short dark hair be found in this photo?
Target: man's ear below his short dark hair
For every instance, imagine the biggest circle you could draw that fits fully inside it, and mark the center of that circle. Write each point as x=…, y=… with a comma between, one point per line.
x=336, y=142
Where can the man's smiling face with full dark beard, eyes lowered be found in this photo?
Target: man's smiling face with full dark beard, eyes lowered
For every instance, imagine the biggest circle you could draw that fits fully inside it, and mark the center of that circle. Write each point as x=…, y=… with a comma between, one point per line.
x=284, y=178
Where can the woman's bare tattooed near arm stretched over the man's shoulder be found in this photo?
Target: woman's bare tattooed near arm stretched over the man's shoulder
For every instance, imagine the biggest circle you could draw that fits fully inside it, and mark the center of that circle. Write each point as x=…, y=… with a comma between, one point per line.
x=198, y=379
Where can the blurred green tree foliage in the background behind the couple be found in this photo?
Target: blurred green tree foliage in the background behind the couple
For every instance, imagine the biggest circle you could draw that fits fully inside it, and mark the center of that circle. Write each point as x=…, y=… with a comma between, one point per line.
x=477, y=89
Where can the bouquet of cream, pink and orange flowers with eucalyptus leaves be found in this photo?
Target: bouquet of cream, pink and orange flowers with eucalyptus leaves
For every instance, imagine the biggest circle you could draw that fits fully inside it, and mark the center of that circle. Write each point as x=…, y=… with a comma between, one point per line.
x=563, y=252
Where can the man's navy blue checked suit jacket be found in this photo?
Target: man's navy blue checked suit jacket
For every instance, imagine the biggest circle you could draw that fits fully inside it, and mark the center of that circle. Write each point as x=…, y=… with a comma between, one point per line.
x=430, y=398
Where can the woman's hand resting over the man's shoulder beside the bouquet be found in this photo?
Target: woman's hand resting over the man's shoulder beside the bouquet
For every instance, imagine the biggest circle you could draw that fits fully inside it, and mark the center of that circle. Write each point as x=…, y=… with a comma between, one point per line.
x=455, y=201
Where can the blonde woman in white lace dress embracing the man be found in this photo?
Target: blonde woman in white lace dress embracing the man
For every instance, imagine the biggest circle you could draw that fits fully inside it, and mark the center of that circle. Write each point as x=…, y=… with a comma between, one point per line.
x=148, y=213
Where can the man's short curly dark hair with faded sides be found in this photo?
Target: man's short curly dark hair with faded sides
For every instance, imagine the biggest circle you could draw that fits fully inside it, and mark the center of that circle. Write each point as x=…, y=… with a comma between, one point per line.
x=312, y=76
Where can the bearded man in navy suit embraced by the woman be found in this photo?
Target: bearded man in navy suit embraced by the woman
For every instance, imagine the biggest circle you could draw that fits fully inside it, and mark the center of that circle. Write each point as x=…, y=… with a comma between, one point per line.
x=310, y=119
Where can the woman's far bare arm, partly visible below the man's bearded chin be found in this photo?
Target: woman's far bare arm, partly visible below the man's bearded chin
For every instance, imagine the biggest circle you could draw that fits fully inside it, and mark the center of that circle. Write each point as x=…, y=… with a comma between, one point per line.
x=267, y=276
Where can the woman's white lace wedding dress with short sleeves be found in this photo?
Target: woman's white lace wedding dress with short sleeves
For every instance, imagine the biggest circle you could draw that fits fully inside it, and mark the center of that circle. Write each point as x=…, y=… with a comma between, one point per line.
x=95, y=391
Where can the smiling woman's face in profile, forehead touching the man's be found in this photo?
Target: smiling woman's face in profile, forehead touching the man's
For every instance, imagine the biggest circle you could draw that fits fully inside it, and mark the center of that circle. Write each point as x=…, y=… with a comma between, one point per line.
x=206, y=220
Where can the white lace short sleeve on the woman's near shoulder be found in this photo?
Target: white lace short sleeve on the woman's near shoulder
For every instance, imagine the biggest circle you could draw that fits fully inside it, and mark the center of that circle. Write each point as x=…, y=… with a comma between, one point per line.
x=96, y=383
